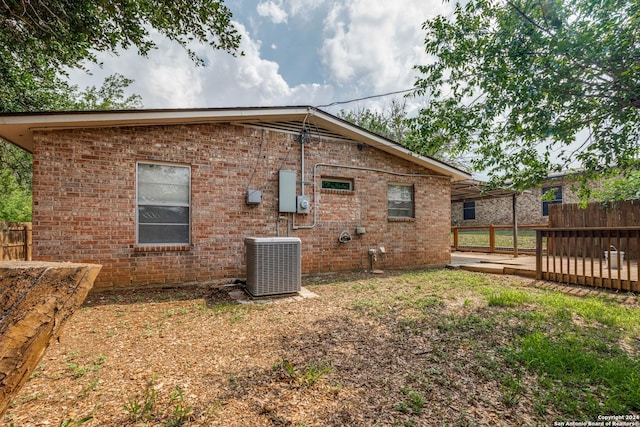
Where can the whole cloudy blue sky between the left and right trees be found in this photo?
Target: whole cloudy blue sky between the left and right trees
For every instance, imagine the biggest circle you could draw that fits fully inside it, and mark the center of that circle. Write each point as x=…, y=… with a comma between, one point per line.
x=297, y=52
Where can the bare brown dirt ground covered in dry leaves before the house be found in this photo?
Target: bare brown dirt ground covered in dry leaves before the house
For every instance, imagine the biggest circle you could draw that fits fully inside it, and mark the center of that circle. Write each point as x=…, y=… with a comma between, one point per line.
x=357, y=355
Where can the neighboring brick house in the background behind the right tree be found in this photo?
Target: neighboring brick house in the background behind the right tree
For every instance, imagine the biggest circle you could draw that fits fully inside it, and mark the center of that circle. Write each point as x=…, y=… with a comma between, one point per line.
x=530, y=208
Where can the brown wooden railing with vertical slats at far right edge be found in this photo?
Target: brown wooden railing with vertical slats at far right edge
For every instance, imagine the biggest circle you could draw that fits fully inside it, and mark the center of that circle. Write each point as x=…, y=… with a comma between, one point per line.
x=605, y=257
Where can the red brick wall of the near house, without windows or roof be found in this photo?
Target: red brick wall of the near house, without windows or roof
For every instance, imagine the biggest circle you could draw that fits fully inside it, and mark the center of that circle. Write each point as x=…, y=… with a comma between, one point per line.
x=84, y=209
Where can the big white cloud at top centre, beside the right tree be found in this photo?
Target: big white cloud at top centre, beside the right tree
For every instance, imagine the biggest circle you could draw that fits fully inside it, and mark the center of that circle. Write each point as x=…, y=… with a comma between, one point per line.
x=376, y=44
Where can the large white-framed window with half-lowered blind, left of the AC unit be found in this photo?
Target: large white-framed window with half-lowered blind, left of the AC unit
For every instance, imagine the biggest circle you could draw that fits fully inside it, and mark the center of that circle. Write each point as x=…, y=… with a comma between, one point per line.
x=163, y=204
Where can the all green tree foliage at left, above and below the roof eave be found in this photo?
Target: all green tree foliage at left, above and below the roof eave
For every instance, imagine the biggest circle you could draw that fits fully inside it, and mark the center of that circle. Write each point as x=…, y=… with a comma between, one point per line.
x=41, y=38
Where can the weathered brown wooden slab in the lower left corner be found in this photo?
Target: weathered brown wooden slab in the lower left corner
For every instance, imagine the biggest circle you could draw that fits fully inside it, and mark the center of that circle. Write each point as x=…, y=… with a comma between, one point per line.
x=36, y=299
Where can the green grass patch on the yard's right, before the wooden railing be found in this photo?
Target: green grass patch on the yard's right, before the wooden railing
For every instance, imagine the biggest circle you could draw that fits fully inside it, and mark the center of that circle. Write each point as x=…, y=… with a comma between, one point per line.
x=572, y=344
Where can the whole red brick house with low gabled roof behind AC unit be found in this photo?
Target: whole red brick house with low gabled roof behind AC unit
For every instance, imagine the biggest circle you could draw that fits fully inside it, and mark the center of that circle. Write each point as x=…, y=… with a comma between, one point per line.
x=164, y=197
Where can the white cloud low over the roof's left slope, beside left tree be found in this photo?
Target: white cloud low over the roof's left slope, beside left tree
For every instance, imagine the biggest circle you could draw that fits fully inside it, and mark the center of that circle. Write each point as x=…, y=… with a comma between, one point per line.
x=169, y=79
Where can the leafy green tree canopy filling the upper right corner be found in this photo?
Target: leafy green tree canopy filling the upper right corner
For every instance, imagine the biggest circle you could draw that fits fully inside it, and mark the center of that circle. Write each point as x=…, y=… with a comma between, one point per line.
x=534, y=86
